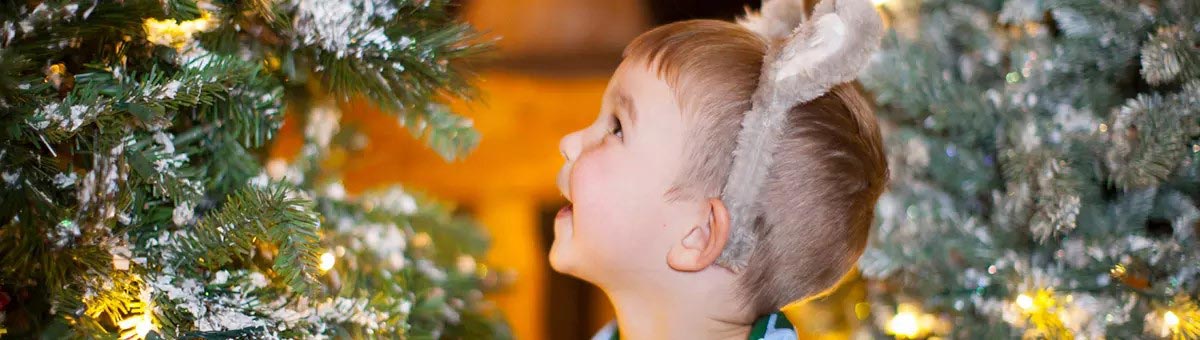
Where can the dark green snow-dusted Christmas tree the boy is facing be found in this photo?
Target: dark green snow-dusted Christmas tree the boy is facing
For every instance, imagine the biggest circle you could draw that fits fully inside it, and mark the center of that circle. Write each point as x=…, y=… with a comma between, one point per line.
x=135, y=200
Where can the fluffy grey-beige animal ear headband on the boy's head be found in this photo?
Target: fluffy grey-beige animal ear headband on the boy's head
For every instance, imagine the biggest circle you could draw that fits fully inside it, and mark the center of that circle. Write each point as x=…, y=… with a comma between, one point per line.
x=806, y=58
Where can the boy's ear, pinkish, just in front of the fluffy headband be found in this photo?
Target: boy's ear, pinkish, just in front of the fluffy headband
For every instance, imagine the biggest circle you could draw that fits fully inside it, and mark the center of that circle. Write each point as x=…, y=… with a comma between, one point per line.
x=703, y=244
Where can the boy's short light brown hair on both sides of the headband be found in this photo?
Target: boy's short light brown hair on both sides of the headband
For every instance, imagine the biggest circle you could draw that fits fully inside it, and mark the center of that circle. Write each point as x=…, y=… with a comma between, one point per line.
x=830, y=165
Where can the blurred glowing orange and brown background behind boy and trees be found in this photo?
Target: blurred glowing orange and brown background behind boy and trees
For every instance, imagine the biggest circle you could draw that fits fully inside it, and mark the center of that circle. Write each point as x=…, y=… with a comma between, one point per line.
x=547, y=79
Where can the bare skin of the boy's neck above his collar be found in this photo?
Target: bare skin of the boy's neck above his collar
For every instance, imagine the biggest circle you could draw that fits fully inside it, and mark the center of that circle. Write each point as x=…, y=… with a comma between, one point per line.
x=683, y=313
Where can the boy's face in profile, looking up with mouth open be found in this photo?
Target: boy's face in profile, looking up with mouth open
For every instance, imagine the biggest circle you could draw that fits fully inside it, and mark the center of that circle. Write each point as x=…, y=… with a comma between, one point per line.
x=616, y=176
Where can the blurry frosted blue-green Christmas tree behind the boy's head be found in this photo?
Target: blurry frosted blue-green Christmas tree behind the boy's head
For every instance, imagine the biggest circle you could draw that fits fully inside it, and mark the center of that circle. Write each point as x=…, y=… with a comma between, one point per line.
x=1046, y=170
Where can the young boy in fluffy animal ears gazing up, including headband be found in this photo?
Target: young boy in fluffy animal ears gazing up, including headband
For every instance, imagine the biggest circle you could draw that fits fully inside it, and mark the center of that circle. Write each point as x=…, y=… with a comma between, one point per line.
x=733, y=170
